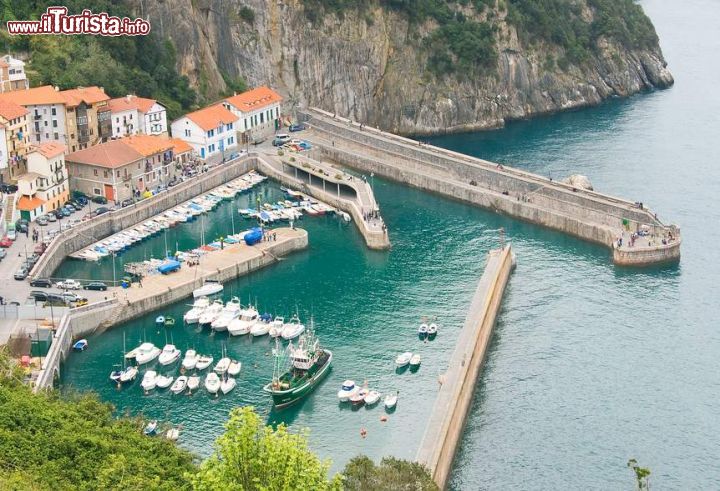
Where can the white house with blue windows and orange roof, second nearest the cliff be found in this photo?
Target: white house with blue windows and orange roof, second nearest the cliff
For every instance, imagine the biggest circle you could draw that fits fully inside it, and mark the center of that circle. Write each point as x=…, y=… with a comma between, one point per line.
x=210, y=131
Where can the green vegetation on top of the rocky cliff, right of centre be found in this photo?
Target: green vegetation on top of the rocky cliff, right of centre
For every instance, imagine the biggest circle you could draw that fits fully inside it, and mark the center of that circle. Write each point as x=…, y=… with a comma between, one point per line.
x=462, y=33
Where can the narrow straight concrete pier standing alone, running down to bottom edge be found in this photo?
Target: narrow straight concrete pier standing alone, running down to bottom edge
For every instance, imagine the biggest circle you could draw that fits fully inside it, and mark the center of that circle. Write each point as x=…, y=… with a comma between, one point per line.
x=446, y=422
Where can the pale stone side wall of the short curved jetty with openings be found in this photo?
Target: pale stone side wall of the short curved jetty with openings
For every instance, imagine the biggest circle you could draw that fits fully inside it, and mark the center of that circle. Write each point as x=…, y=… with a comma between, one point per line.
x=373, y=239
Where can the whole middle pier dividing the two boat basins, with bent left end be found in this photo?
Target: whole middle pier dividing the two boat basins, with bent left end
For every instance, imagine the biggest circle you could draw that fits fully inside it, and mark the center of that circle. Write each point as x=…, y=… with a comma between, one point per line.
x=157, y=291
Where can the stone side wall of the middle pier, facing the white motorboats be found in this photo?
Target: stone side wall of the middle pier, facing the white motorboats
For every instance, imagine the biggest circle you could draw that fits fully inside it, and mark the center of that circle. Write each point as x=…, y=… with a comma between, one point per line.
x=83, y=321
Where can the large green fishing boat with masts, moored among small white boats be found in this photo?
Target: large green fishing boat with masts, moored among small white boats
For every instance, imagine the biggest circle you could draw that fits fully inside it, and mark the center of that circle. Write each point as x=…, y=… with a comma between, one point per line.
x=298, y=369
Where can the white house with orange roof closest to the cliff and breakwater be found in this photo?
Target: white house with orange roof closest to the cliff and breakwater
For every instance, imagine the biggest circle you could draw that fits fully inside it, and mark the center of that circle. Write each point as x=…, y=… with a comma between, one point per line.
x=258, y=110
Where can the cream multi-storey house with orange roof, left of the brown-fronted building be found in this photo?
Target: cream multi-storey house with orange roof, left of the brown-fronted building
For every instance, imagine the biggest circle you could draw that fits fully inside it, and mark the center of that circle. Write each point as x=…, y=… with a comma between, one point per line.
x=46, y=105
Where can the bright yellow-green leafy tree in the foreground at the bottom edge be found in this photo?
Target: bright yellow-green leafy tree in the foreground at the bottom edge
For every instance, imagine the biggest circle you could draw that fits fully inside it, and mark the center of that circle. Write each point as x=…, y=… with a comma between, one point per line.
x=252, y=456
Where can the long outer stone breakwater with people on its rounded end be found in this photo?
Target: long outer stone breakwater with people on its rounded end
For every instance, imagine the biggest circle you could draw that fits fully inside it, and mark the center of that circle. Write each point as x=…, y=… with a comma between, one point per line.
x=586, y=214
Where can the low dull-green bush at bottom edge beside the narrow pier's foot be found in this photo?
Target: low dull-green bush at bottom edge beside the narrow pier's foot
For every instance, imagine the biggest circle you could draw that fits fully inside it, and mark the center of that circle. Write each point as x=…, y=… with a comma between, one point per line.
x=361, y=474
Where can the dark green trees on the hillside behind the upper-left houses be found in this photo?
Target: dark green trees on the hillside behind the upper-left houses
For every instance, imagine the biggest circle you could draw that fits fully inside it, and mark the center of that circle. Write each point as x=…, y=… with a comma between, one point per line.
x=143, y=65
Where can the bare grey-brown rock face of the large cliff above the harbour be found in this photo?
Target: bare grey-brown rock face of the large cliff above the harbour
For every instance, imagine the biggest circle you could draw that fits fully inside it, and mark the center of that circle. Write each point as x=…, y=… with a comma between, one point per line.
x=370, y=68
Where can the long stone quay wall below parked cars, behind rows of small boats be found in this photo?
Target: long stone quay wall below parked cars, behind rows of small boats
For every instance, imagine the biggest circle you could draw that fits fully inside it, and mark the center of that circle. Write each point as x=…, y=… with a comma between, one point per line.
x=86, y=233
